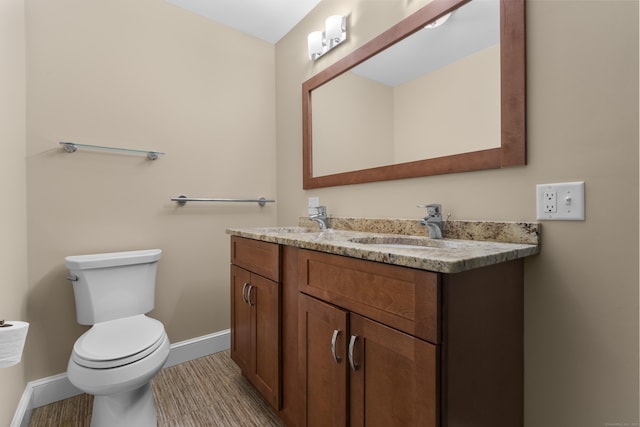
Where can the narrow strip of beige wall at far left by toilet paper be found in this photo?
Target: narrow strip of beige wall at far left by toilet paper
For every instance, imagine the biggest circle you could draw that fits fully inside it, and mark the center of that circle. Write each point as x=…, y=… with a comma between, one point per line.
x=13, y=250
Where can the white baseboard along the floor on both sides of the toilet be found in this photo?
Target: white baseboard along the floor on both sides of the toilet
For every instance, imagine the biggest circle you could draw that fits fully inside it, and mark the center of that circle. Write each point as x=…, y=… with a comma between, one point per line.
x=57, y=387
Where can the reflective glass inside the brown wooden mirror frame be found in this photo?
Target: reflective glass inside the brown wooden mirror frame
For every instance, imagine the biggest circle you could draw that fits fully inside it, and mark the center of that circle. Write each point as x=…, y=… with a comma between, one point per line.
x=406, y=102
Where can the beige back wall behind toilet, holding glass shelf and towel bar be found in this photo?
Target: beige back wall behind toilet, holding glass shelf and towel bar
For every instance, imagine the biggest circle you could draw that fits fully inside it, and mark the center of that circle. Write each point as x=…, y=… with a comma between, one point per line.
x=144, y=75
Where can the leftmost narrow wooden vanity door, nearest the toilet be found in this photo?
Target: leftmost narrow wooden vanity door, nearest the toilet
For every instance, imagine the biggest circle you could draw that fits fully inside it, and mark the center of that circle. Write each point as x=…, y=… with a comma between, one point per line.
x=240, y=319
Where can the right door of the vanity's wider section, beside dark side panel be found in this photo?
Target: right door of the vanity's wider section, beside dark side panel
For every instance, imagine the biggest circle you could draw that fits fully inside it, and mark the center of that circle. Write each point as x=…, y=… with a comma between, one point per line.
x=395, y=378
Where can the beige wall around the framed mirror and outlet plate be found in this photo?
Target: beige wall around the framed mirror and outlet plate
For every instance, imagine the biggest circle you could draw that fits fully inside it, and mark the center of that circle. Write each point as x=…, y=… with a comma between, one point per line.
x=581, y=320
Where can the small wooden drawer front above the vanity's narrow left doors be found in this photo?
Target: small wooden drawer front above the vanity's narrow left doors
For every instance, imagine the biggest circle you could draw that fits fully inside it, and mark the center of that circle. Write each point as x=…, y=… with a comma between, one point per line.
x=259, y=257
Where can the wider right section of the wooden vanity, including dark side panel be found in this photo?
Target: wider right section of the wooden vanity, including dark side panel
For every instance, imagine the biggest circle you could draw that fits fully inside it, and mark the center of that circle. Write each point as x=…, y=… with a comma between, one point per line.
x=383, y=345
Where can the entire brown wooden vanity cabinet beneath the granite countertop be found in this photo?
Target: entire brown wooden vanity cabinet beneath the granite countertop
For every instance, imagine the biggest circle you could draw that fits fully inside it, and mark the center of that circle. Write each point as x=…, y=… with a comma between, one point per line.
x=331, y=340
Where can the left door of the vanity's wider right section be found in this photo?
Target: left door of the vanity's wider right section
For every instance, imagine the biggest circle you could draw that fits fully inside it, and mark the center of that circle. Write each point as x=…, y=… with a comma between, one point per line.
x=323, y=377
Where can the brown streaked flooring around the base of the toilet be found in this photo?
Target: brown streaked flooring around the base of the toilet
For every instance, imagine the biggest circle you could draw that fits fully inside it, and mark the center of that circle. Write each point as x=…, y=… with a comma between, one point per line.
x=209, y=391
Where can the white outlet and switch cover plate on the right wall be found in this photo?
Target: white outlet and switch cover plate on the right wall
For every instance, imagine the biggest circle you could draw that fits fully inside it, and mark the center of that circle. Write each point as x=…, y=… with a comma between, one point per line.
x=569, y=201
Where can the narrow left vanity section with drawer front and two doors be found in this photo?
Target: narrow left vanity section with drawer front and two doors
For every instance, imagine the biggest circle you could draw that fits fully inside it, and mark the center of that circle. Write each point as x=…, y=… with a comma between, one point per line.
x=255, y=314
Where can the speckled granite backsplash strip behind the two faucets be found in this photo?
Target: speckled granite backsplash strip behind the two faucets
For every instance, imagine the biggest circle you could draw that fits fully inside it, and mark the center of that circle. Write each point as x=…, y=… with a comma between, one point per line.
x=492, y=231
